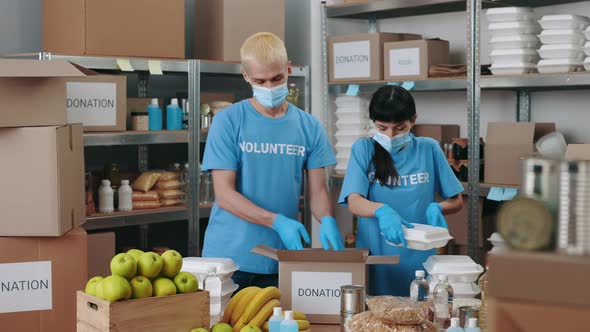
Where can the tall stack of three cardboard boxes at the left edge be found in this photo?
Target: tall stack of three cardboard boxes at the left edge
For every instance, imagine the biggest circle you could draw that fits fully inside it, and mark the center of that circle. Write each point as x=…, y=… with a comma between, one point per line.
x=44, y=253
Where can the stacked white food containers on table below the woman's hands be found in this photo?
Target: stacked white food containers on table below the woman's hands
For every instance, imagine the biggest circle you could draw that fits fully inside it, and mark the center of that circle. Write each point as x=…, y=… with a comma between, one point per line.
x=461, y=271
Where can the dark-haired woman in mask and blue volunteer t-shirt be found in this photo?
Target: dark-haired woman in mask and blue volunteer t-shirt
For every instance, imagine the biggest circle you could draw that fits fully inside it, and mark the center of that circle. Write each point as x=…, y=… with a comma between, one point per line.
x=390, y=182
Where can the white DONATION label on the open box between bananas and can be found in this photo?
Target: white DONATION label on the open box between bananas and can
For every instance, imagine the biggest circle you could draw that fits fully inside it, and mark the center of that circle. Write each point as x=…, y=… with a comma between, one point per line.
x=318, y=292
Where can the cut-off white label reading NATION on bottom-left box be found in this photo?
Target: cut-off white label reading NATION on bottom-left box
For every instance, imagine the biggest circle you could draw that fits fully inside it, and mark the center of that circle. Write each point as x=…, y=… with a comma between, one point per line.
x=25, y=286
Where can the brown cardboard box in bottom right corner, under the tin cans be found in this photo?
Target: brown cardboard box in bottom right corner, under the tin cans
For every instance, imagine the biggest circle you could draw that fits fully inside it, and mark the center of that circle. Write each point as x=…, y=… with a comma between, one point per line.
x=538, y=292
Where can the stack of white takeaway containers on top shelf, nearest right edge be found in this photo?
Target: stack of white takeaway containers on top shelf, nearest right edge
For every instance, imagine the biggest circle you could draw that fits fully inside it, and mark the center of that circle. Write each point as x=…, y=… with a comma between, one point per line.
x=563, y=41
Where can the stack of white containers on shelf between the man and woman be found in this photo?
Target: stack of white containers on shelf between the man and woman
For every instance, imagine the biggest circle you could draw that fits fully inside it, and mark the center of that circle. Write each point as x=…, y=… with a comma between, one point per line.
x=352, y=123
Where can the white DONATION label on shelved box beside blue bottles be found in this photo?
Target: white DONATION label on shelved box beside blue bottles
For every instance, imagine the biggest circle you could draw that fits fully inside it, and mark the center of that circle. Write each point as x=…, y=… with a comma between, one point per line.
x=92, y=104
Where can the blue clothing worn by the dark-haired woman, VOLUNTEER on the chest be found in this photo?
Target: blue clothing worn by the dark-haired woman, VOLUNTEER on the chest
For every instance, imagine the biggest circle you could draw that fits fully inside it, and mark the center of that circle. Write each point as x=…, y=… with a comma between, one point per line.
x=423, y=171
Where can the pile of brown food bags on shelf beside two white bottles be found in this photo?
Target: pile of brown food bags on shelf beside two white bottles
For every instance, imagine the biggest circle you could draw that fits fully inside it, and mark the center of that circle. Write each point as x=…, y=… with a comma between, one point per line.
x=155, y=189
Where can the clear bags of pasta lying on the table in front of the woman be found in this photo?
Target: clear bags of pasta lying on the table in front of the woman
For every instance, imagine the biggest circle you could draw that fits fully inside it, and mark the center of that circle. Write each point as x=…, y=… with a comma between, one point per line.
x=393, y=314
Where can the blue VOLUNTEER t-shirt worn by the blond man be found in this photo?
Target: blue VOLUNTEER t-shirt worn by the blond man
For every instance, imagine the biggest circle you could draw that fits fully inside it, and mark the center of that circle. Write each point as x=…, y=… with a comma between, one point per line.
x=269, y=156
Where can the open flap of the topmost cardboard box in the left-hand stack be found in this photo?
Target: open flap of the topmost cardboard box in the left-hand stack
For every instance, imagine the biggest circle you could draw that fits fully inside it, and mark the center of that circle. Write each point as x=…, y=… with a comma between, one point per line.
x=36, y=68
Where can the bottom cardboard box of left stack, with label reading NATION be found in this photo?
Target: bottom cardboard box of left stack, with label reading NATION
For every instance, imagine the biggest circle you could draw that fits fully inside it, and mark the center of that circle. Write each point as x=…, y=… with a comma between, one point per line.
x=39, y=278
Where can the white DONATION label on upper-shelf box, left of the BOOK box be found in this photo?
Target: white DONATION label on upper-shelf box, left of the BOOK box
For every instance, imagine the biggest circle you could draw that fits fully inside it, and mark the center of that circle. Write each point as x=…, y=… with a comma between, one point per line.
x=352, y=59
